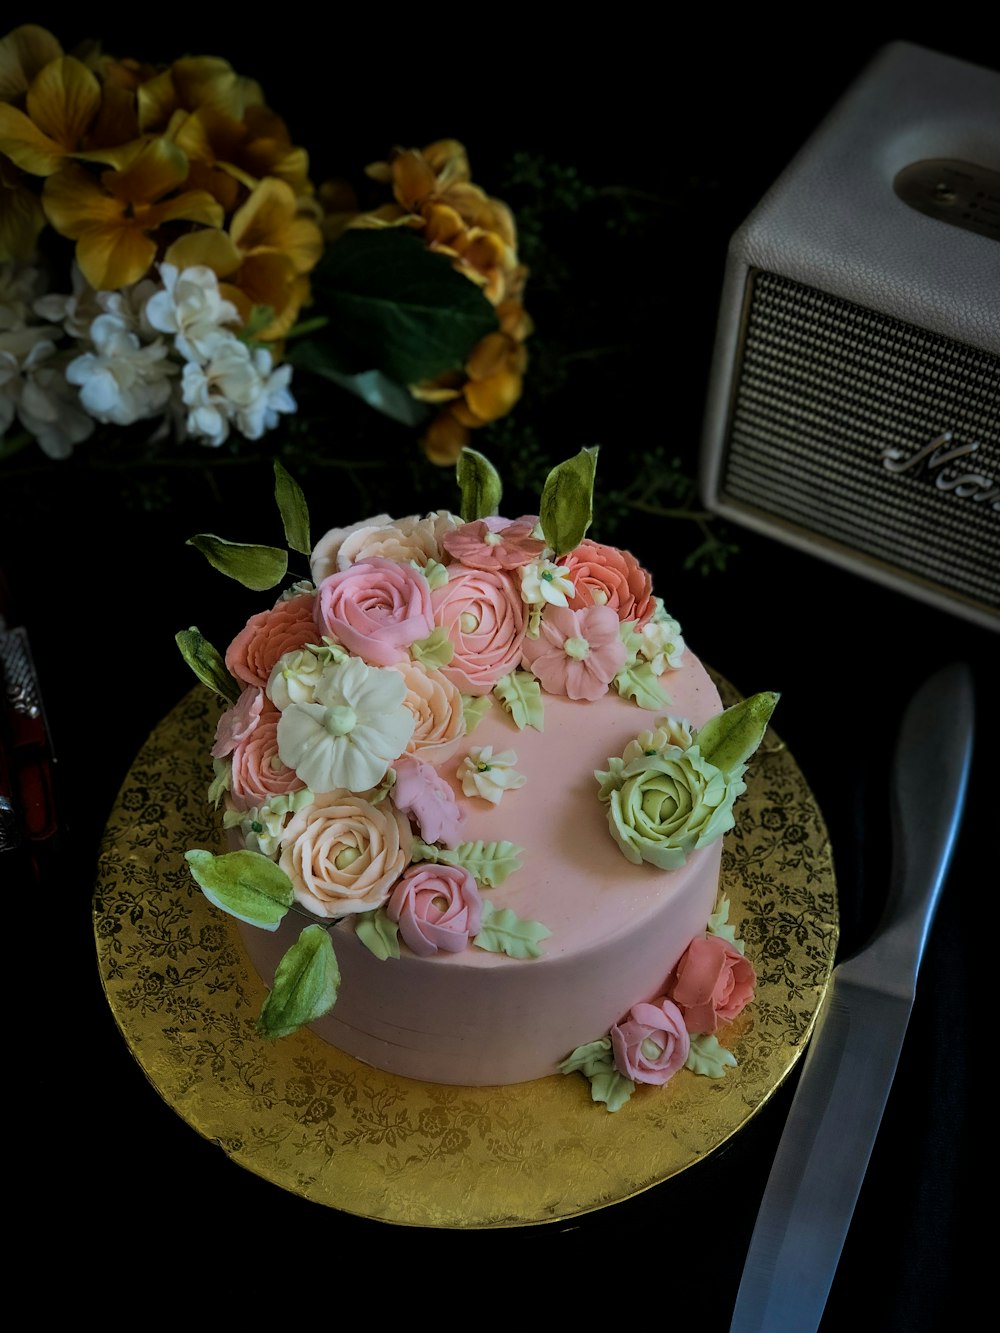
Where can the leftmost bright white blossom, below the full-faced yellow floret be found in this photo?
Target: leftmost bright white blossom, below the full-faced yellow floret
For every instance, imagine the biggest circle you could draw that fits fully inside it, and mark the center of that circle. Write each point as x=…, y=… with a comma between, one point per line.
x=122, y=382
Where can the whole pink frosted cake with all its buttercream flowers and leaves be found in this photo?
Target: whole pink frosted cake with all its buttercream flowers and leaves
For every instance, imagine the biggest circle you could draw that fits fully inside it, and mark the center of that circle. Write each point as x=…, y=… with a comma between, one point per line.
x=478, y=786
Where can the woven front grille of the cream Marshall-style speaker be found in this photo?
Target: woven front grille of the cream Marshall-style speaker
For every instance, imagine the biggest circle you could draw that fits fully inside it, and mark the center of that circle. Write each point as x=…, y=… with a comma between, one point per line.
x=826, y=394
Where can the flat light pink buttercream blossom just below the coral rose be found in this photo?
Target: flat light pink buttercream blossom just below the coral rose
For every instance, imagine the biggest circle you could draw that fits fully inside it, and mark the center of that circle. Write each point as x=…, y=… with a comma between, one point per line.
x=578, y=654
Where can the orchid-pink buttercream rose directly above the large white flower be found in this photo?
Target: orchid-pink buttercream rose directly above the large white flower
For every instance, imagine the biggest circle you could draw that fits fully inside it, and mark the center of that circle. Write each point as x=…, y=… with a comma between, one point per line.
x=377, y=610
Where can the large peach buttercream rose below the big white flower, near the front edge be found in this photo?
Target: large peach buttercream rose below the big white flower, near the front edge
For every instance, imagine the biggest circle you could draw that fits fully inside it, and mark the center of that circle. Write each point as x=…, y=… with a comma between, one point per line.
x=345, y=855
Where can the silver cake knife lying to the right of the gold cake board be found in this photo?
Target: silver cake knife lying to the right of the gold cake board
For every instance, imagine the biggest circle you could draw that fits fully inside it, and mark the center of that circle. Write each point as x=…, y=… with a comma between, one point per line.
x=851, y=1062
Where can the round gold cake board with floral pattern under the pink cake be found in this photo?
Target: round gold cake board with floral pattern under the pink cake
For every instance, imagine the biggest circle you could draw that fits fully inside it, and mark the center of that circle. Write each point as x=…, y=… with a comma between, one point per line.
x=334, y=1131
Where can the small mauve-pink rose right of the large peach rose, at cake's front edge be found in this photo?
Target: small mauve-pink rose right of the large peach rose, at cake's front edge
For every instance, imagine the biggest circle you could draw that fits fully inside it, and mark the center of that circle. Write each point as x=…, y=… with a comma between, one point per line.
x=438, y=907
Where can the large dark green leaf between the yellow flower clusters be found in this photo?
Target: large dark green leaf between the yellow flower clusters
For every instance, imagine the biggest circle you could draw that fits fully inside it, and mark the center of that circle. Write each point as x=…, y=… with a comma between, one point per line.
x=394, y=306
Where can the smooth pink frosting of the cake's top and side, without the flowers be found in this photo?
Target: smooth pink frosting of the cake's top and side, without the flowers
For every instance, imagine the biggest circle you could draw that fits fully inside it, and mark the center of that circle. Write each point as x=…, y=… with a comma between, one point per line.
x=618, y=930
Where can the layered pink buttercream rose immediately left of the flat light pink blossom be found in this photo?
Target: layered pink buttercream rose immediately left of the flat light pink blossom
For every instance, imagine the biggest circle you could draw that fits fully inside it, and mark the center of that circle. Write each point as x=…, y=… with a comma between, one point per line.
x=485, y=617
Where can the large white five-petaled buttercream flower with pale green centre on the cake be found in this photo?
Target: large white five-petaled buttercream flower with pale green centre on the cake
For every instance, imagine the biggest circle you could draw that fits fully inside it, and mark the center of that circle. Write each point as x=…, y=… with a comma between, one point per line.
x=354, y=730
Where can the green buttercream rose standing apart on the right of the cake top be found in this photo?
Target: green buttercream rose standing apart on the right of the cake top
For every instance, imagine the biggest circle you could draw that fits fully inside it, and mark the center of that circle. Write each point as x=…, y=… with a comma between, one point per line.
x=663, y=807
